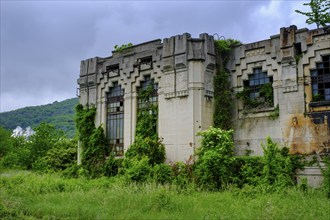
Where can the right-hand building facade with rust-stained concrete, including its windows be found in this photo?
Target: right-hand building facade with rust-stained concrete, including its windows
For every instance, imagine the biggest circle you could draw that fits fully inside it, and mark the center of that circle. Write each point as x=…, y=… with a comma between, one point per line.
x=290, y=73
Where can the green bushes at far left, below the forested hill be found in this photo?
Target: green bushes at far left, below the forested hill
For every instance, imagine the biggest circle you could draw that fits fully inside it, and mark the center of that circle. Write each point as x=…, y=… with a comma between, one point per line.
x=47, y=150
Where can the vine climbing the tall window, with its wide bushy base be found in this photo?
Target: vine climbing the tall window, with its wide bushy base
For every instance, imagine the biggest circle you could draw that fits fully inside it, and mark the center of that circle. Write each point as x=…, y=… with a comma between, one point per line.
x=144, y=157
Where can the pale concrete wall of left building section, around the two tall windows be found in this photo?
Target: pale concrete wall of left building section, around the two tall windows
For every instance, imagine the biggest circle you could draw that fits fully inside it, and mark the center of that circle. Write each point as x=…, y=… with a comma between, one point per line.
x=182, y=66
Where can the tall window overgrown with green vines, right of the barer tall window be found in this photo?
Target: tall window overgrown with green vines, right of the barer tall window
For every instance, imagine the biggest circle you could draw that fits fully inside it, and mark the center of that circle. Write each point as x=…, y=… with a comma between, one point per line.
x=147, y=115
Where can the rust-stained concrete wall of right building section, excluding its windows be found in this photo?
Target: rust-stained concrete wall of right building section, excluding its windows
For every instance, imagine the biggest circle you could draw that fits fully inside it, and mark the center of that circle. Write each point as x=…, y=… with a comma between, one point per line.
x=289, y=58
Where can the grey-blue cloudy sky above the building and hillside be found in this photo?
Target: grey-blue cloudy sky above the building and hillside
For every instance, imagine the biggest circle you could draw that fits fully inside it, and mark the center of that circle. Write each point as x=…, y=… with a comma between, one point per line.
x=43, y=42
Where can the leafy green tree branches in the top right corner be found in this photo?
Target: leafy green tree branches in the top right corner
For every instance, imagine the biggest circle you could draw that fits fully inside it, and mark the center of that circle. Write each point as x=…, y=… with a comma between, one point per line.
x=320, y=13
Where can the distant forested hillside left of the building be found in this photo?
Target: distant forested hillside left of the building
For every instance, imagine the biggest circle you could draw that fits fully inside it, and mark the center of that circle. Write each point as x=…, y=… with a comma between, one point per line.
x=60, y=114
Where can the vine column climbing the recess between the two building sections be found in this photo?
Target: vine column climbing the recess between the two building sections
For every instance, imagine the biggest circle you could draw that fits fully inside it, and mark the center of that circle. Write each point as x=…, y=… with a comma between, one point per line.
x=222, y=89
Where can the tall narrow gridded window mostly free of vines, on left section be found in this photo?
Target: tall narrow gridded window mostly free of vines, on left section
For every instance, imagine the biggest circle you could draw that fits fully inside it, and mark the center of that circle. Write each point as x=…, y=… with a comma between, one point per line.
x=115, y=119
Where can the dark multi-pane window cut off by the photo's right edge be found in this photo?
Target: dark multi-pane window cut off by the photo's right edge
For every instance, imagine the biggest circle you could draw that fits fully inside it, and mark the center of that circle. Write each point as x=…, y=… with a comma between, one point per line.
x=321, y=80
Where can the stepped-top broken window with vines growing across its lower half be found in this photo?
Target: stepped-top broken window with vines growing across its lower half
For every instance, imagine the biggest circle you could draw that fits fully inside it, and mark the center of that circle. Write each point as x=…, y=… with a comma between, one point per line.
x=258, y=90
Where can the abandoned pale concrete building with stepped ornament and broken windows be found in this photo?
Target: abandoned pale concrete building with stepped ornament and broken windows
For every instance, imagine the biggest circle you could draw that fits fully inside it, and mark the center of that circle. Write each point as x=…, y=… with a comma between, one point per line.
x=181, y=69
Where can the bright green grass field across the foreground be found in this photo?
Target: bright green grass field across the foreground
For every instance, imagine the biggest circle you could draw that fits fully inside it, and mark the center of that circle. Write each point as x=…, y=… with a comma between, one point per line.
x=27, y=195
